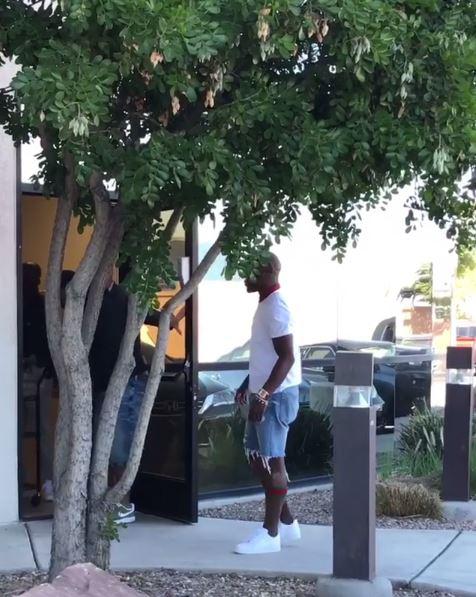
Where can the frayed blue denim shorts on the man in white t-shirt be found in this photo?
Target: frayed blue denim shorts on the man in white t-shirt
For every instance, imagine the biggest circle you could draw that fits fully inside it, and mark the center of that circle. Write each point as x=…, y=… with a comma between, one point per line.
x=267, y=439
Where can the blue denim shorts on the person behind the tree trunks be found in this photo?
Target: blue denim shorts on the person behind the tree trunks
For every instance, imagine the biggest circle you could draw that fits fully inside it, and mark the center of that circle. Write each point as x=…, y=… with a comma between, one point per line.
x=127, y=420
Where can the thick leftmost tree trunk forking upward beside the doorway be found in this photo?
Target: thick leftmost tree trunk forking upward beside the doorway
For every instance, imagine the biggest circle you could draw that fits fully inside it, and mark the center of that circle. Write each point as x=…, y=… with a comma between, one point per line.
x=74, y=437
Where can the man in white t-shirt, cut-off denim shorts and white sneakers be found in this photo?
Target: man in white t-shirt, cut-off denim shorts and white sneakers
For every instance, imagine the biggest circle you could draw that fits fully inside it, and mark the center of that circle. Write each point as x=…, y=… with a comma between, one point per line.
x=272, y=392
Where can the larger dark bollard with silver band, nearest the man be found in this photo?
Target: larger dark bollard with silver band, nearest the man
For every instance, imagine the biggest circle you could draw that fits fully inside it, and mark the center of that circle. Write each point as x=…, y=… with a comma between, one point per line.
x=354, y=468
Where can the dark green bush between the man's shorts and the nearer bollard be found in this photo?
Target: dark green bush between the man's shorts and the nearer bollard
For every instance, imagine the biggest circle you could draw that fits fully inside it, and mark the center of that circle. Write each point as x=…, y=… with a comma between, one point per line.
x=310, y=443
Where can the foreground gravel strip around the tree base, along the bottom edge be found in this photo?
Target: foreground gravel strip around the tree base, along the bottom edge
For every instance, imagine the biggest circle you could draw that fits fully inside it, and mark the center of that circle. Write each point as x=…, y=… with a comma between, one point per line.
x=169, y=583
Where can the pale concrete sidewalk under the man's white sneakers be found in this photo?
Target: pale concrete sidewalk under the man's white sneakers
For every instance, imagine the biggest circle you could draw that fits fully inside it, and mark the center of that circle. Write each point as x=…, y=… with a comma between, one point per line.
x=423, y=559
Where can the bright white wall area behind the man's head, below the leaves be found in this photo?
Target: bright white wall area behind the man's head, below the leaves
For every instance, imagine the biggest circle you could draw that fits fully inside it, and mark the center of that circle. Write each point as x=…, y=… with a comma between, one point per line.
x=329, y=300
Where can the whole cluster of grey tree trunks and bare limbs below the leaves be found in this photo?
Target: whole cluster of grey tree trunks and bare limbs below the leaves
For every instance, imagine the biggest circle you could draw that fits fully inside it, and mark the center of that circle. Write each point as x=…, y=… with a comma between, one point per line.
x=82, y=526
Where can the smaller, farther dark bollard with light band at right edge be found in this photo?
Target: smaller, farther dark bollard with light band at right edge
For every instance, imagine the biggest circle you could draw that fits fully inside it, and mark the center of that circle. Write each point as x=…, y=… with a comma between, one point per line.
x=458, y=424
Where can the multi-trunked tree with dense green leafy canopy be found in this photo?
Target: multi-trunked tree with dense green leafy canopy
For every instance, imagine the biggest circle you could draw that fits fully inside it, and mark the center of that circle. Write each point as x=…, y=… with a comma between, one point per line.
x=261, y=105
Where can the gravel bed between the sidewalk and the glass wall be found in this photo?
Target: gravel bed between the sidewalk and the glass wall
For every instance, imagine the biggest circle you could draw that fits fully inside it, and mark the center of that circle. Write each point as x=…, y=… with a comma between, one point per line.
x=315, y=507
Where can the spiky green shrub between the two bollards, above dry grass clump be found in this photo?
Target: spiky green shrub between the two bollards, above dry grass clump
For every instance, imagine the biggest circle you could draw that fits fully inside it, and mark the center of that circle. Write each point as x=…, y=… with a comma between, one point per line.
x=423, y=436
